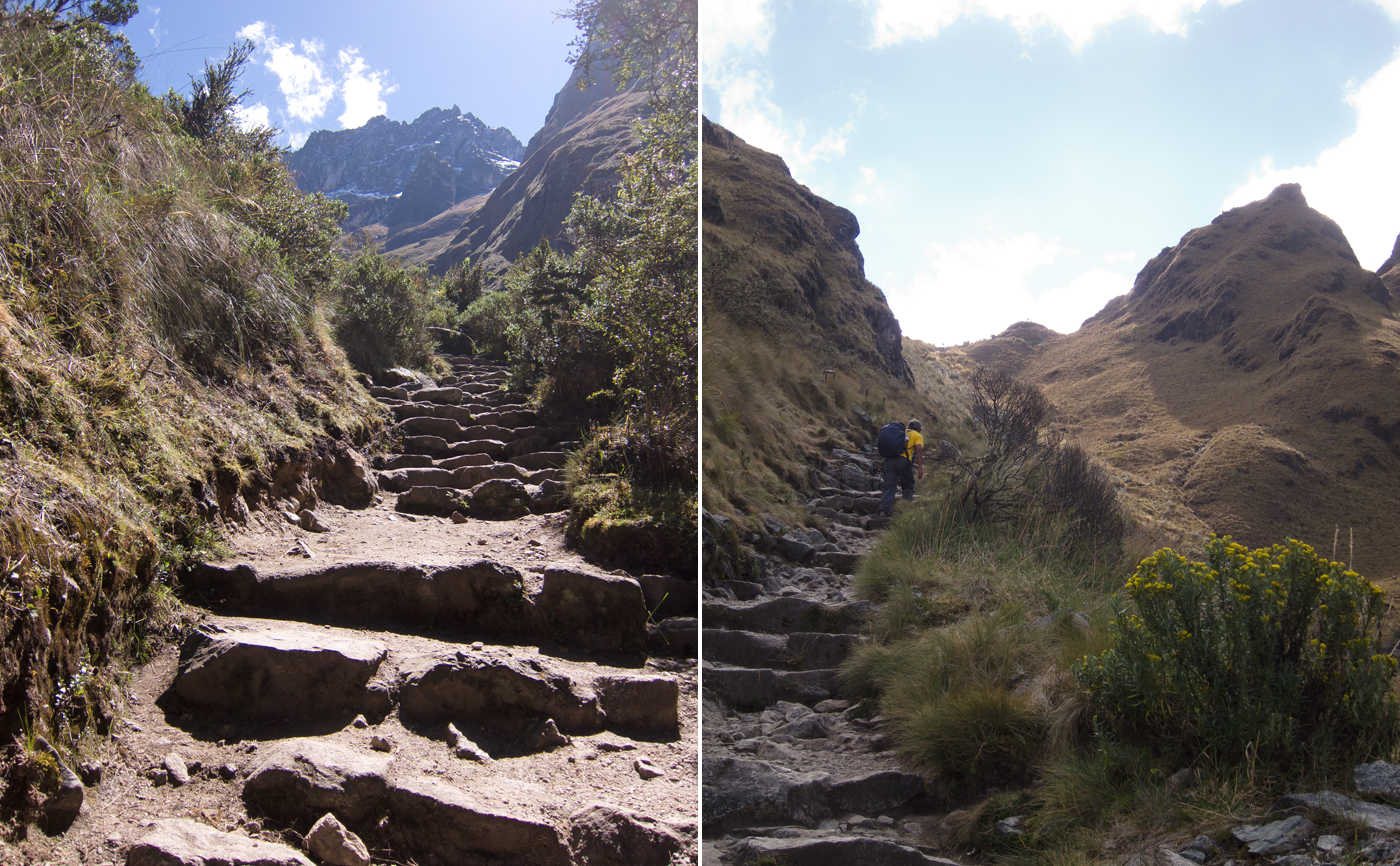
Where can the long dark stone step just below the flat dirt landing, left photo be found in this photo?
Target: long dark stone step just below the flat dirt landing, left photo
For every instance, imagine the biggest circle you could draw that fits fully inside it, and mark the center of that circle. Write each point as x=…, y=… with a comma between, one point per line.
x=477, y=599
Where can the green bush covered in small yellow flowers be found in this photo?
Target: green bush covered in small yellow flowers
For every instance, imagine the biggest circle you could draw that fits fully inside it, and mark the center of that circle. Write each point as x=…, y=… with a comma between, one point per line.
x=1268, y=651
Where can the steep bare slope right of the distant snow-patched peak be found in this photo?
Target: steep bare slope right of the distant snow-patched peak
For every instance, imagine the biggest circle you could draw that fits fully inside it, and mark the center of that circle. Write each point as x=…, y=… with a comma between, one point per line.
x=579, y=149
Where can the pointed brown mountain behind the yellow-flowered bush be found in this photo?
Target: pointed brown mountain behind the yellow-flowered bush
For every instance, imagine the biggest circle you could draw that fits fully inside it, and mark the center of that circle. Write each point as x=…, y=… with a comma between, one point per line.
x=1247, y=385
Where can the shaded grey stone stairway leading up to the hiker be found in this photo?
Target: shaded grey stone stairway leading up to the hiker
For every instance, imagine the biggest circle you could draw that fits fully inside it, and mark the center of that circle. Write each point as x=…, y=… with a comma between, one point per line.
x=793, y=773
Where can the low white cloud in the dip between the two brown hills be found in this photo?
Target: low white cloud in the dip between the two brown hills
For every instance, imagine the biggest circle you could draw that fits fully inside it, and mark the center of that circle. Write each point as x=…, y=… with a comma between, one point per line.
x=981, y=286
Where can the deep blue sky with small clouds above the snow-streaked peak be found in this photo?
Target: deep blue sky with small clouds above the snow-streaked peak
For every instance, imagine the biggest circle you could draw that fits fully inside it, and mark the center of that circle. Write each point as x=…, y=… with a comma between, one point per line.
x=335, y=66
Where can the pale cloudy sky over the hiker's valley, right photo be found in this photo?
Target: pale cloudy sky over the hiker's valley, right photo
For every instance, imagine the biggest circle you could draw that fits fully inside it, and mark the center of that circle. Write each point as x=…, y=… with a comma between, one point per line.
x=1024, y=159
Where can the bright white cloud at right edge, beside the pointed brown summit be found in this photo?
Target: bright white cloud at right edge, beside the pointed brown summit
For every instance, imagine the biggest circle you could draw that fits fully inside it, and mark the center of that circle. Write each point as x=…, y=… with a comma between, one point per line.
x=1356, y=183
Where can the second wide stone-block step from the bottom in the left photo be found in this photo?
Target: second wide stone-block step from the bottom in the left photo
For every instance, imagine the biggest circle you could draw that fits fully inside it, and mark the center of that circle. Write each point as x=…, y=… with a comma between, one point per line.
x=248, y=671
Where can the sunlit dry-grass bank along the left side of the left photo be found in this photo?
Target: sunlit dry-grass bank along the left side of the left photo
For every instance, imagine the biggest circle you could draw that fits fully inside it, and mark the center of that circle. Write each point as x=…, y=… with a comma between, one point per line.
x=164, y=345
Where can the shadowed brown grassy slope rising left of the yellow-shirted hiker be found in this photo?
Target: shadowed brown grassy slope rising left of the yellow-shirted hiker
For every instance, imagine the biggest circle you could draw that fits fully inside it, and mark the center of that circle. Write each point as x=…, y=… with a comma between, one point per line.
x=797, y=342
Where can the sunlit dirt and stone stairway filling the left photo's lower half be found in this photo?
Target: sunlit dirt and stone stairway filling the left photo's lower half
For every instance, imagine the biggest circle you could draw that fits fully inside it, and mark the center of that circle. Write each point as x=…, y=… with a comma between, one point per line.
x=437, y=672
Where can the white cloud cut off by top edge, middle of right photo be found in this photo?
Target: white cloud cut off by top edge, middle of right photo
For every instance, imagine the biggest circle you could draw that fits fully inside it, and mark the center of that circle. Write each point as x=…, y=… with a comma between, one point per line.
x=898, y=22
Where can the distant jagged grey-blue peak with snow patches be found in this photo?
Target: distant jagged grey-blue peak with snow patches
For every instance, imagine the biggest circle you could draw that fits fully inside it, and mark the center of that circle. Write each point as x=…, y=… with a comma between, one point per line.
x=379, y=170
